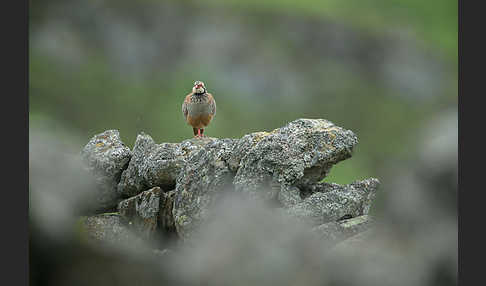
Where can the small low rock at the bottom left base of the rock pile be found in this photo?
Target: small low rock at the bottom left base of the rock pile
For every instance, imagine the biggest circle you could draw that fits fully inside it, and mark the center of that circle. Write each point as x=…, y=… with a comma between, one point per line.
x=106, y=228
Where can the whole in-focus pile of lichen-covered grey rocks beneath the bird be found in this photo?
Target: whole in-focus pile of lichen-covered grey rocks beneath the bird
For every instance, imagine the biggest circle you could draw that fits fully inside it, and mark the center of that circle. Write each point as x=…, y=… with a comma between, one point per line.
x=175, y=186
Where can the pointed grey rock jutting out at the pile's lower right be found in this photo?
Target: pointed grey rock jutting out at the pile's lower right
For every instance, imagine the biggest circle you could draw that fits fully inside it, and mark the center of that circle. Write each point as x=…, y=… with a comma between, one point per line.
x=335, y=202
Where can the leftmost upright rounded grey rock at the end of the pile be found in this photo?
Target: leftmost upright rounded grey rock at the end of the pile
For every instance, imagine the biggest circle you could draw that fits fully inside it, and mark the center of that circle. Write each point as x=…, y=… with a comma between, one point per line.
x=106, y=156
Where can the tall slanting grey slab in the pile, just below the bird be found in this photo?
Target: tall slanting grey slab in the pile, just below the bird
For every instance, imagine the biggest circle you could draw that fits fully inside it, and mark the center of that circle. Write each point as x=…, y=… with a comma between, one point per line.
x=205, y=176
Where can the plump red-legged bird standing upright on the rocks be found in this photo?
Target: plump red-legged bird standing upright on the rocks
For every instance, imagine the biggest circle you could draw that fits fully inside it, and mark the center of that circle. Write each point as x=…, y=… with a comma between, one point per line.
x=199, y=108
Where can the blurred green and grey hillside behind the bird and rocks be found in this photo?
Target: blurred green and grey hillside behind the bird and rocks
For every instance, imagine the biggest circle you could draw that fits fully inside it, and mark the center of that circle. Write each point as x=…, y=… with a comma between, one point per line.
x=385, y=69
